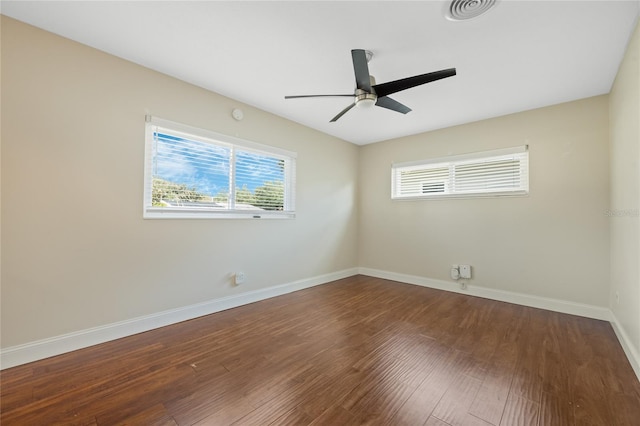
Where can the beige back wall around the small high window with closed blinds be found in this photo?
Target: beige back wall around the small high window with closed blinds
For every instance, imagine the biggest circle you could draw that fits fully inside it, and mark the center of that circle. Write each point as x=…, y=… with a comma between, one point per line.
x=553, y=243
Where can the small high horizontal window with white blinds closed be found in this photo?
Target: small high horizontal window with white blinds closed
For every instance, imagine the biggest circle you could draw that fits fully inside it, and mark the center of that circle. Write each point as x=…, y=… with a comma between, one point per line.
x=490, y=173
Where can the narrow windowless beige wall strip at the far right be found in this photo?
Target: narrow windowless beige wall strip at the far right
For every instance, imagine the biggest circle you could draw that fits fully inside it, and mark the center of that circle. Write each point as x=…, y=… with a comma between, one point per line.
x=625, y=193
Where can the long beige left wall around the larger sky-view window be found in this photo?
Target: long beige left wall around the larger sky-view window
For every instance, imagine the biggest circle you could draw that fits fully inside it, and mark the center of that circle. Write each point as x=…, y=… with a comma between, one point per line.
x=76, y=252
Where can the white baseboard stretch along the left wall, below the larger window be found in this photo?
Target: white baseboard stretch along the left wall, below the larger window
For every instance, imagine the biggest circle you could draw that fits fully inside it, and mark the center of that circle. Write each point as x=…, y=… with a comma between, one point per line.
x=45, y=348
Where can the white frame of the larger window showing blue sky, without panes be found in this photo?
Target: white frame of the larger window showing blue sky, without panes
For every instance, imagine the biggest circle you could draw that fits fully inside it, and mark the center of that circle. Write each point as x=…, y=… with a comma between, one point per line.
x=153, y=123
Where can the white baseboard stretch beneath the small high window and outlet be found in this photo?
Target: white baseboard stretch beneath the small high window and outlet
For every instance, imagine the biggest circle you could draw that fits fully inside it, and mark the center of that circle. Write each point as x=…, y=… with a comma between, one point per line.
x=555, y=305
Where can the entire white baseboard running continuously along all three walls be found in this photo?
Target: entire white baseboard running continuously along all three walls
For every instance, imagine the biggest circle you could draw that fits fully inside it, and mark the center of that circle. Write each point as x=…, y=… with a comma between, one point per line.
x=45, y=348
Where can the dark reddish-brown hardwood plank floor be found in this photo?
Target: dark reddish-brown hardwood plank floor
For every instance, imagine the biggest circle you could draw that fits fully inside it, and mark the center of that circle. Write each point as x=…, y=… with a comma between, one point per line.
x=357, y=351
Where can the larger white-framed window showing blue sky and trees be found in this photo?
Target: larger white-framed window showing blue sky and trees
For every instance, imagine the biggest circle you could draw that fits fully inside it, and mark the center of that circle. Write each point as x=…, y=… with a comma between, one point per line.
x=195, y=173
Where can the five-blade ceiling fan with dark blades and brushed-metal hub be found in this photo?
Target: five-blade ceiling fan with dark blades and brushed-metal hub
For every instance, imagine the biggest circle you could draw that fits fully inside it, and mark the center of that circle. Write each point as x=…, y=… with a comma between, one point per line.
x=368, y=93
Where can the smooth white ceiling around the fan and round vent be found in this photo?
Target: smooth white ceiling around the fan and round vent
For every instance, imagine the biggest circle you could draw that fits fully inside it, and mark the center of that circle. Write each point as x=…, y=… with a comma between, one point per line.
x=518, y=56
